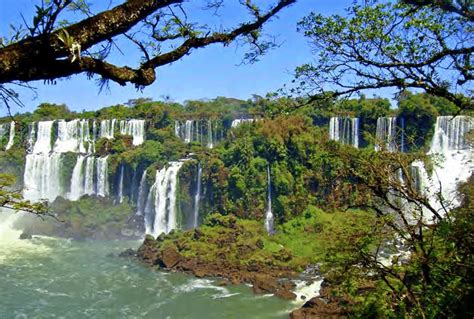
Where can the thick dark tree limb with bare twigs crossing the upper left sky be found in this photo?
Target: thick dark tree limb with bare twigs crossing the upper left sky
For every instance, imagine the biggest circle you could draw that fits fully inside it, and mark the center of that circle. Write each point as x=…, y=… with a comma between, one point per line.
x=52, y=48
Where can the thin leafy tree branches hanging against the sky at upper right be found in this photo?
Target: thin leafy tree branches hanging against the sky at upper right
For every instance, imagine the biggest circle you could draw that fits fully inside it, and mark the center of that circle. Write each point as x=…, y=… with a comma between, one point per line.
x=419, y=44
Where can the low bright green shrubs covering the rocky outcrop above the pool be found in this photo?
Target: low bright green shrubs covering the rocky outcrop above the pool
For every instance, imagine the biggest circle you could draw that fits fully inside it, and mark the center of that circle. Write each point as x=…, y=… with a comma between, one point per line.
x=298, y=243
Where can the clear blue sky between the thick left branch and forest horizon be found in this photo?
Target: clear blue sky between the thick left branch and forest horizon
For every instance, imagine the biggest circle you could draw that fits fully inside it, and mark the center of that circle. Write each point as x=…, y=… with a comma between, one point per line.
x=205, y=73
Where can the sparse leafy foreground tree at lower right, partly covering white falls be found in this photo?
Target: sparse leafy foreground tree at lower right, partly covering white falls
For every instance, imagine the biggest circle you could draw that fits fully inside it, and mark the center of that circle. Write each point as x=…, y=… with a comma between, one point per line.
x=415, y=262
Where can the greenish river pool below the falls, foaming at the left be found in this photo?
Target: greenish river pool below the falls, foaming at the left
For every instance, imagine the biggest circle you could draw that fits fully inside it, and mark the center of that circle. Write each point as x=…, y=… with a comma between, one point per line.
x=56, y=278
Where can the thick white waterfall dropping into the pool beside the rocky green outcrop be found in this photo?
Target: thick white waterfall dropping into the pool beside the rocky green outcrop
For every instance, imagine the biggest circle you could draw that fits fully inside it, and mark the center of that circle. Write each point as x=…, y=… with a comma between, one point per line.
x=161, y=201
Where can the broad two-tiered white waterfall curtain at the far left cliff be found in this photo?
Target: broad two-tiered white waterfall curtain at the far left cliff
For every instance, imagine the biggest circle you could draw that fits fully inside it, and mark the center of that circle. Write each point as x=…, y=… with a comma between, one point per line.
x=42, y=176
